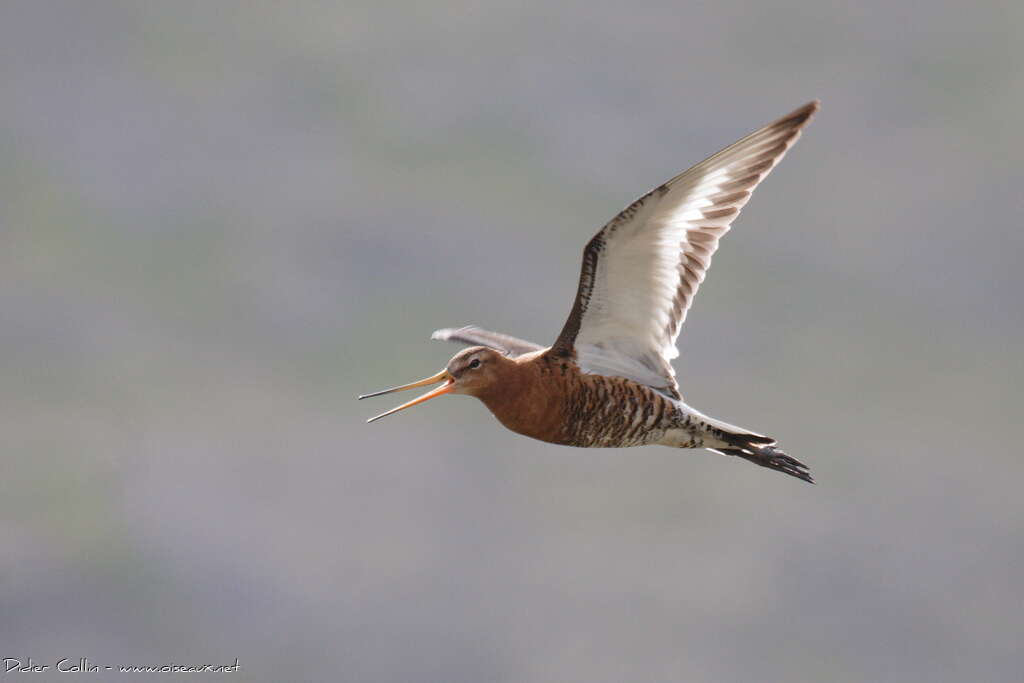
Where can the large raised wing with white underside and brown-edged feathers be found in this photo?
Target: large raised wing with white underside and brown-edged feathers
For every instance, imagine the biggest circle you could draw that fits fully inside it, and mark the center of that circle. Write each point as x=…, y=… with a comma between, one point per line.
x=642, y=272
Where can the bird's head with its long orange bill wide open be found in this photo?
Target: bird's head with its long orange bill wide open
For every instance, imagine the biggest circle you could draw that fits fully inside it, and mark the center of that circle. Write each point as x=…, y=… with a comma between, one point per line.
x=473, y=371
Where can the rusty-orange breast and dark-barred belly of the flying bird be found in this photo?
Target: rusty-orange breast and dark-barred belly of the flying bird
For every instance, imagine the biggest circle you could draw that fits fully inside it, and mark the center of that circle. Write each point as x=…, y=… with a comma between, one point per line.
x=550, y=400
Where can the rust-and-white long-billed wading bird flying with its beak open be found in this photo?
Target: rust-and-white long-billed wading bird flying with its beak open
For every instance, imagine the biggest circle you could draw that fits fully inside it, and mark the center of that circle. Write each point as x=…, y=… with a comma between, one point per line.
x=608, y=380
